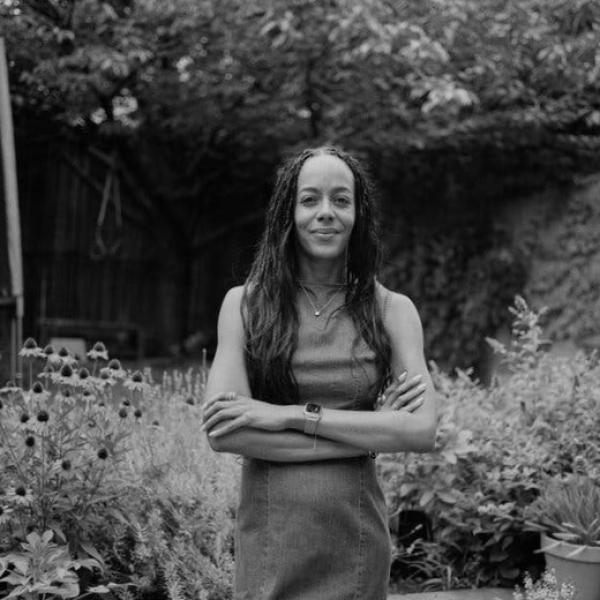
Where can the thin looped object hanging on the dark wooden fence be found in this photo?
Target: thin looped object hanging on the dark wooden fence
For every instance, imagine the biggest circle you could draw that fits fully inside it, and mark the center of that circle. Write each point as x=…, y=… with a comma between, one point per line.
x=103, y=247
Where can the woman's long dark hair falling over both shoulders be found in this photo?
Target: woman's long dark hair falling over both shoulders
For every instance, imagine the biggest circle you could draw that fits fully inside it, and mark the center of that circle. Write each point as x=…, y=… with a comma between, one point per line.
x=268, y=303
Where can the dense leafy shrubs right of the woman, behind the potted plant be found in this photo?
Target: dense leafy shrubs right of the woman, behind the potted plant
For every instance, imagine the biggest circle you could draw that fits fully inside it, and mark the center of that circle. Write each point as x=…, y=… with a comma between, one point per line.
x=496, y=447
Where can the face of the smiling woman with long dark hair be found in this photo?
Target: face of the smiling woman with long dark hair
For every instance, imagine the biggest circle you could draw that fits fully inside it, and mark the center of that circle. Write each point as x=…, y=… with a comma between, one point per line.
x=325, y=208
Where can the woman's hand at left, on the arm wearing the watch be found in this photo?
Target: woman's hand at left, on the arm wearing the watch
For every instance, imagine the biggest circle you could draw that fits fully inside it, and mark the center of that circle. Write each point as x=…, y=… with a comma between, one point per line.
x=233, y=411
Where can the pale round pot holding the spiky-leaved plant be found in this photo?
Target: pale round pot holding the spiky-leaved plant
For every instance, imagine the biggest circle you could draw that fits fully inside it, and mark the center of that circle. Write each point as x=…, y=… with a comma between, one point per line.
x=575, y=563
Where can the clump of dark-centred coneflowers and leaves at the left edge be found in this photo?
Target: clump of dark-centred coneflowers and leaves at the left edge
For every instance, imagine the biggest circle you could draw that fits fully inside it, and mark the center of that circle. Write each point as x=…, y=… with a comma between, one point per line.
x=61, y=444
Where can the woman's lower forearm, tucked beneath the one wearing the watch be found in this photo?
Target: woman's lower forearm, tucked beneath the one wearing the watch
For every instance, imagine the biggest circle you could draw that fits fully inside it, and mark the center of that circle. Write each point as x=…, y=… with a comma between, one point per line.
x=282, y=446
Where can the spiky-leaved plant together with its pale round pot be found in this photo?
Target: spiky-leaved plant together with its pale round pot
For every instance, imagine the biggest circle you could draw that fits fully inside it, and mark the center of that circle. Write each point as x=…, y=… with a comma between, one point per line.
x=567, y=514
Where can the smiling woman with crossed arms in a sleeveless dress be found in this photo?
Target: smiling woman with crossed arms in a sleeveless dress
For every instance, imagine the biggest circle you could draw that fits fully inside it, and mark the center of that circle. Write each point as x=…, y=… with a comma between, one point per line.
x=304, y=348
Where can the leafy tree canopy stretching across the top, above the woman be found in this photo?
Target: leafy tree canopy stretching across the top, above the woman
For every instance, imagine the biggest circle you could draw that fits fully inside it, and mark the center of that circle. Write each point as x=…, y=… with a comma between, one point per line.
x=332, y=70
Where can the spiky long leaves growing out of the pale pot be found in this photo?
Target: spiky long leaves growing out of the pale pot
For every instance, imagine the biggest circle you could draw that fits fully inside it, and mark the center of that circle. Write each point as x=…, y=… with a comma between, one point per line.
x=567, y=509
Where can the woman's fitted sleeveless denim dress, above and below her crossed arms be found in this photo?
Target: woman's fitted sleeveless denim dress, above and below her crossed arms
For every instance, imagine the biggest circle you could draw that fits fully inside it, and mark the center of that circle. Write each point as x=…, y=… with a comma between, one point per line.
x=317, y=530
